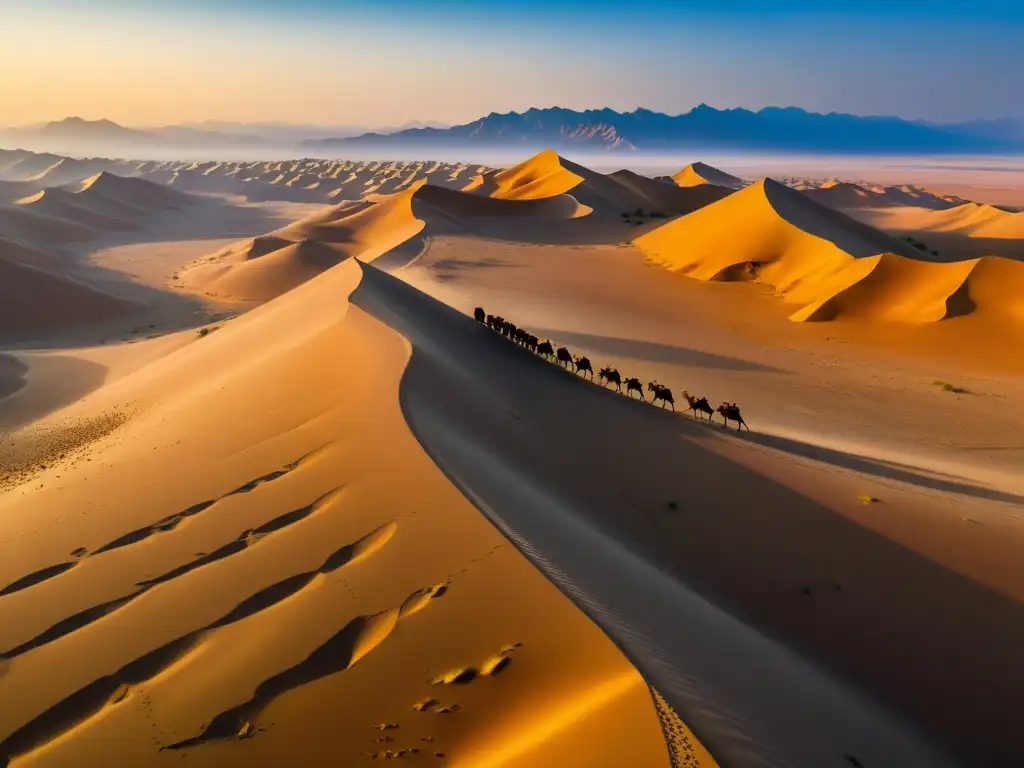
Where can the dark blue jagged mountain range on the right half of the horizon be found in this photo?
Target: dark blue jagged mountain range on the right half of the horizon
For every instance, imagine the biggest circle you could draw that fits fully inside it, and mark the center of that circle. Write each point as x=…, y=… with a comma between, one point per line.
x=773, y=130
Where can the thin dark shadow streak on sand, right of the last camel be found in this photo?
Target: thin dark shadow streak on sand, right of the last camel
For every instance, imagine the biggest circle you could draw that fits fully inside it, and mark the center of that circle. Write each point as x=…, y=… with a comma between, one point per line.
x=880, y=468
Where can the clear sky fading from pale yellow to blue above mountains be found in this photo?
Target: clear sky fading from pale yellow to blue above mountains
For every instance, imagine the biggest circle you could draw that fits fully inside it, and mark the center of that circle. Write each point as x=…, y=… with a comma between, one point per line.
x=389, y=62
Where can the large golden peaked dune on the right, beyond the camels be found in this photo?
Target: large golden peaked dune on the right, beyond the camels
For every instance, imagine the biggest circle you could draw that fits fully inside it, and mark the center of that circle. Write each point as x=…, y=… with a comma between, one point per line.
x=831, y=266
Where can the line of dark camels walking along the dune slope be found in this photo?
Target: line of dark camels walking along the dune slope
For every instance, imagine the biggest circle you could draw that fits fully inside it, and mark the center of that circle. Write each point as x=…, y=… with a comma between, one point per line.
x=609, y=376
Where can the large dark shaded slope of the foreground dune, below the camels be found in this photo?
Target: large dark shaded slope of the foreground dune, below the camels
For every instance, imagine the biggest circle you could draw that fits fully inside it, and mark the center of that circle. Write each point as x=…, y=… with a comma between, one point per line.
x=782, y=631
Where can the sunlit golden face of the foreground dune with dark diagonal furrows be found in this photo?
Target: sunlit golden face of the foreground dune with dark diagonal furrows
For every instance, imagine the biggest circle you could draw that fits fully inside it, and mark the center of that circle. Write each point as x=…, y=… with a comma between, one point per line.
x=338, y=620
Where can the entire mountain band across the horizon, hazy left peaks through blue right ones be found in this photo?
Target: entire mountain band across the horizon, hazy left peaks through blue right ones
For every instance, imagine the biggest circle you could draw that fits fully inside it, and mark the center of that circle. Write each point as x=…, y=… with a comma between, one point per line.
x=771, y=130
